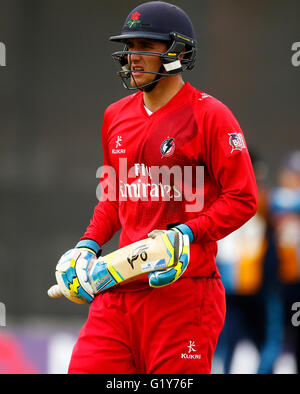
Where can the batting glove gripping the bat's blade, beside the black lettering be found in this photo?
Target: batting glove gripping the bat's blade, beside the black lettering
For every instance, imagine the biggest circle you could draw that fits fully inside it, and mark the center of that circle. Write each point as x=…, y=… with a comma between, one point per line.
x=170, y=275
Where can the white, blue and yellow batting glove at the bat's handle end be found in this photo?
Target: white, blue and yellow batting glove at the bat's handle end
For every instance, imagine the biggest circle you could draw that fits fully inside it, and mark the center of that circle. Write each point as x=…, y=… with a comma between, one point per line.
x=72, y=275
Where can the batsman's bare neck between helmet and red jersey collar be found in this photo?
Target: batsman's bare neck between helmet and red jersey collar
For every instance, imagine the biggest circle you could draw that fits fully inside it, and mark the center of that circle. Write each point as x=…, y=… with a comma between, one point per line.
x=164, y=91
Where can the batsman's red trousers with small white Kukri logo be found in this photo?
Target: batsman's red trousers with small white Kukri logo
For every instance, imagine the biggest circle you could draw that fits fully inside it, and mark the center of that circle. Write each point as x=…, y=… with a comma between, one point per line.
x=170, y=330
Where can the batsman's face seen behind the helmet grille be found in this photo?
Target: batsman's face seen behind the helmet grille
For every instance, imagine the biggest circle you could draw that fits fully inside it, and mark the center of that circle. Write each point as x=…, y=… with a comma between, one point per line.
x=139, y=63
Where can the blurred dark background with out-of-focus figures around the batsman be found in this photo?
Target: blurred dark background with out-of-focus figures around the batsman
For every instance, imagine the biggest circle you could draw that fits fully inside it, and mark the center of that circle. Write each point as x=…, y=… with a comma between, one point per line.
x=58, y=79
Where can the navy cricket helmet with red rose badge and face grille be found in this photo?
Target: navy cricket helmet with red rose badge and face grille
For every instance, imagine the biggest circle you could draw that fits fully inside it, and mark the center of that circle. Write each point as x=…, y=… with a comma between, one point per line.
x=158, y=20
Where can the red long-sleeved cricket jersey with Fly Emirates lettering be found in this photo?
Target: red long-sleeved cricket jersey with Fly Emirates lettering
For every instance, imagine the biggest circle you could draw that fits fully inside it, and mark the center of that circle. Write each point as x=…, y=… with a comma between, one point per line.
x=192, y=131
